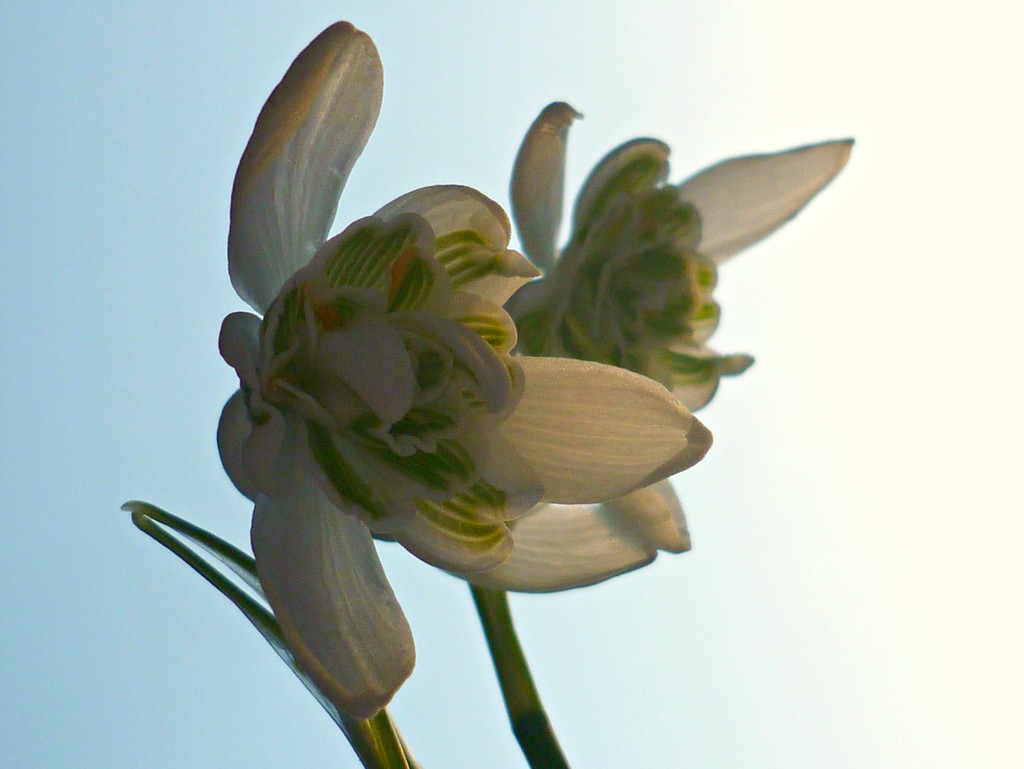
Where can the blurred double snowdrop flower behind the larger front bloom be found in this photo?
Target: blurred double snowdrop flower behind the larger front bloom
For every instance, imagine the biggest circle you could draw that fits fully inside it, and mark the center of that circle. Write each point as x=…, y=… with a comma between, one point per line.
x=633, y=288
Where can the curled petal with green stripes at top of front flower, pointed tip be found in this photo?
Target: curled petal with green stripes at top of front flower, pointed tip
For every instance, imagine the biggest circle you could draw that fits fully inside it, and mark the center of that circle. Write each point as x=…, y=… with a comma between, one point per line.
x=473, y=235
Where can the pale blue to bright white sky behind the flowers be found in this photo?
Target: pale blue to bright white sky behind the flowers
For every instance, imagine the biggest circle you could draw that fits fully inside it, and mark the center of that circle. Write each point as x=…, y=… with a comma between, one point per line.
x=854, y=599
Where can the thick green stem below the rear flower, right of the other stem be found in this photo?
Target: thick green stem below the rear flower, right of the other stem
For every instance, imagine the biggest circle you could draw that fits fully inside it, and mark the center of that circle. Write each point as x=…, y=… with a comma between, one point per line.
x=530, y=722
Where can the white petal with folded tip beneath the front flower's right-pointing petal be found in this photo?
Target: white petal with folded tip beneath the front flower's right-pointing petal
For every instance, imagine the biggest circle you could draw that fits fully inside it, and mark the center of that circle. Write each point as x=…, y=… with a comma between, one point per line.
x=559, y=547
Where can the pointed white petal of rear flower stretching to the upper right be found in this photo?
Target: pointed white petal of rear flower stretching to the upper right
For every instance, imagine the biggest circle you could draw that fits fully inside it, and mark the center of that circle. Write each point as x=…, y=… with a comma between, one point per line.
x=744, y=200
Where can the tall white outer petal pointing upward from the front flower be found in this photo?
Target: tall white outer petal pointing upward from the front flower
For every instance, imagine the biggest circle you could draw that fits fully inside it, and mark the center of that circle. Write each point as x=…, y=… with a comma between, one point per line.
x=307, y=140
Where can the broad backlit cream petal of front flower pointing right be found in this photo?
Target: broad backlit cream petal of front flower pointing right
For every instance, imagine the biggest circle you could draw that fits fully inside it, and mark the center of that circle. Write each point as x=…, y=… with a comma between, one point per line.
x=594, y=433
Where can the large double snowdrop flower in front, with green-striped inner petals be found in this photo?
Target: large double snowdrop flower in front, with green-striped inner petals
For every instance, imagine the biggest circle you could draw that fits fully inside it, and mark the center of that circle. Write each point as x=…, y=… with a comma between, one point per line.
x=378, y=396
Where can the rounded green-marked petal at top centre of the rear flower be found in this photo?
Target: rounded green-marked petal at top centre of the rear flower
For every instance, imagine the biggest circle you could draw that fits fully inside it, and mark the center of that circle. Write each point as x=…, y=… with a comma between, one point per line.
x=641, y=164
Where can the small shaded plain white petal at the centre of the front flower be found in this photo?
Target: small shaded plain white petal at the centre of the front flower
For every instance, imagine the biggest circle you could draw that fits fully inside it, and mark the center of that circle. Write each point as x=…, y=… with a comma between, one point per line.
x=370, y=357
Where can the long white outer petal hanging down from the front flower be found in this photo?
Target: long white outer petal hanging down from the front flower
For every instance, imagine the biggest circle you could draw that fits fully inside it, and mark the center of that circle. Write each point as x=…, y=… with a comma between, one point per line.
x=322, y=576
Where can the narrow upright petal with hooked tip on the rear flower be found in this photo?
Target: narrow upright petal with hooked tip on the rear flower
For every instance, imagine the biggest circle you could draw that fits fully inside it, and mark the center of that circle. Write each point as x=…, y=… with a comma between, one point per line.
x=538, y=183
